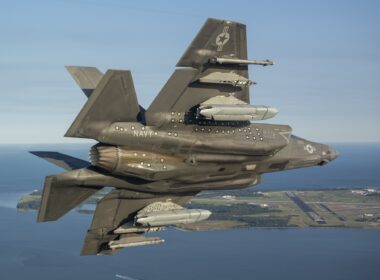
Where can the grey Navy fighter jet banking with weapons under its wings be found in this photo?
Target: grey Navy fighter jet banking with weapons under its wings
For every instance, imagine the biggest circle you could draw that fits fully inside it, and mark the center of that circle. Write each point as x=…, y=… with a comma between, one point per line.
x=200, y=133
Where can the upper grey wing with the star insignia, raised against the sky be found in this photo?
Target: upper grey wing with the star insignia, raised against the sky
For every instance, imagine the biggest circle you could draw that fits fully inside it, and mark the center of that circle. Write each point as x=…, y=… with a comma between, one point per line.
x=204, y=72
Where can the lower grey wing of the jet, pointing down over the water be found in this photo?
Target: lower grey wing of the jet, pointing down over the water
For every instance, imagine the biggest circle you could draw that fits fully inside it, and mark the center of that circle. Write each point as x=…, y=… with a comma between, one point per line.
x=113, y=226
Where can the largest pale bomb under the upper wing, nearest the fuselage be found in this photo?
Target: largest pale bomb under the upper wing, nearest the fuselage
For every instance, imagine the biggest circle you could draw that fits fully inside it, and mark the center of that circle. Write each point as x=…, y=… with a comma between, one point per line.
x=237, y=112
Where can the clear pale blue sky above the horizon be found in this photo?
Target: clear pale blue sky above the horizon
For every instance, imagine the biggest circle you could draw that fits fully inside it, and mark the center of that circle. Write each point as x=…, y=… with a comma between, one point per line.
x=325, y=81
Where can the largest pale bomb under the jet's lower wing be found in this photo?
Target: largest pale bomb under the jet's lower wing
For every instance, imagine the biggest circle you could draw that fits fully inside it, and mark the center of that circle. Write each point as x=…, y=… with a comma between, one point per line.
x=171, y=217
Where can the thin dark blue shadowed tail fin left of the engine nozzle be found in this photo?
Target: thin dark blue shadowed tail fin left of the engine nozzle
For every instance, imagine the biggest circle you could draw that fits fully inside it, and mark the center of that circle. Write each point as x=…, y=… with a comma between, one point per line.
x=64, y=161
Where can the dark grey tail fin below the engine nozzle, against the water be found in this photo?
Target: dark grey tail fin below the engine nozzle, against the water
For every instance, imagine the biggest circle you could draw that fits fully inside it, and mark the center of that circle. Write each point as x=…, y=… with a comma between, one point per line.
x=60, y=195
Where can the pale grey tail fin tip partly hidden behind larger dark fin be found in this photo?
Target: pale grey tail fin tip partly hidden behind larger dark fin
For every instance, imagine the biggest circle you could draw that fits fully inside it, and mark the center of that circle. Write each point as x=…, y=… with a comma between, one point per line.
x=87, y=78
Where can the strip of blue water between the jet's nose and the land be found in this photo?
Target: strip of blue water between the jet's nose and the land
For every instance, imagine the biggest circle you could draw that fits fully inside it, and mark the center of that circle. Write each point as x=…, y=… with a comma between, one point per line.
x=357, y=166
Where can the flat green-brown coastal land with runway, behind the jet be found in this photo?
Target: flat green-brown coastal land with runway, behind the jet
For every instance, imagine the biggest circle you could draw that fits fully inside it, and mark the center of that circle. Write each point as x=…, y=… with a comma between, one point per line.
x=358, y=208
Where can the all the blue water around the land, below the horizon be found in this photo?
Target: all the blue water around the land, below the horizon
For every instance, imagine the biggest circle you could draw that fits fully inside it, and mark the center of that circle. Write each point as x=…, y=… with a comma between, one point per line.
x=51, y=250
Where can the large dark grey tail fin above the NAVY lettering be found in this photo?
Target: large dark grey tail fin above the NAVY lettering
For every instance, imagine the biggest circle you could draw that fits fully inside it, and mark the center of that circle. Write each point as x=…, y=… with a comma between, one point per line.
x=114, y=100
